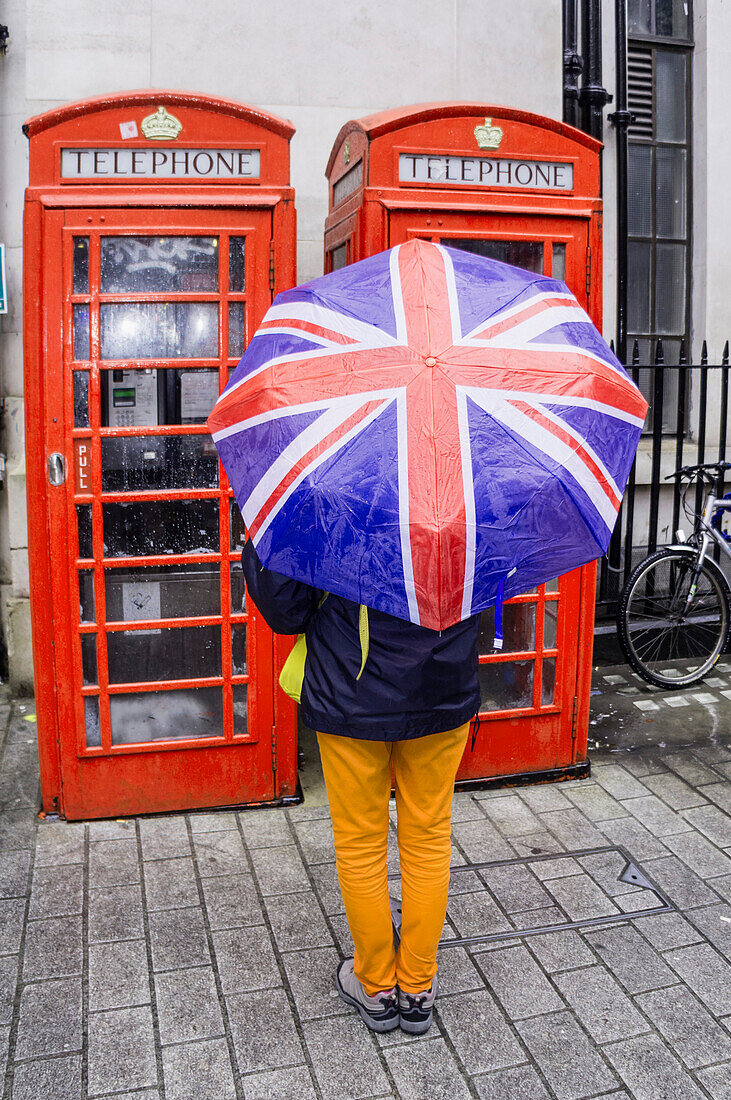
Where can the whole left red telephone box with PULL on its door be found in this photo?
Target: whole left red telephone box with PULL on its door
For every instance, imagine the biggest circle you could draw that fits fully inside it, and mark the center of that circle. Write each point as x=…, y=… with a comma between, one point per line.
x=159, y=226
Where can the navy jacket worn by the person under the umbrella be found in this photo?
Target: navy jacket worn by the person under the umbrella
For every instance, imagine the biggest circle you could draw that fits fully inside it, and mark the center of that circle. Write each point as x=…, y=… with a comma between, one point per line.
x=415, y=681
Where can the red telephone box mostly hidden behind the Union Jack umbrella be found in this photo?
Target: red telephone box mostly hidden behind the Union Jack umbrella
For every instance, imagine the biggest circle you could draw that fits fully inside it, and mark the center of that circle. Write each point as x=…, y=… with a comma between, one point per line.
x=524, y=190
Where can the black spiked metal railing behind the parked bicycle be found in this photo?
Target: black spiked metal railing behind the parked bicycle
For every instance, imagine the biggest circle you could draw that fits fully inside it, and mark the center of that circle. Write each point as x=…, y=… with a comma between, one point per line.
x=688, y=423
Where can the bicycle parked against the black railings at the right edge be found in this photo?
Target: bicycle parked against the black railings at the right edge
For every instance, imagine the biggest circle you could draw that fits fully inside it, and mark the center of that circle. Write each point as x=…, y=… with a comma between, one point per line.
x=674, y=612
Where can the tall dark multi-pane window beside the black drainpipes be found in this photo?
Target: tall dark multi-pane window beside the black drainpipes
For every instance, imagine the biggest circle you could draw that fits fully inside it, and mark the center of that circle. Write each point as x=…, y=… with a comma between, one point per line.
x=659, y=254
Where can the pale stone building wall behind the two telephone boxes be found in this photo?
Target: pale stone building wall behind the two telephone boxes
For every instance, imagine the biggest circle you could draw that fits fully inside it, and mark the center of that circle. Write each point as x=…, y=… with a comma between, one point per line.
x=320, y=65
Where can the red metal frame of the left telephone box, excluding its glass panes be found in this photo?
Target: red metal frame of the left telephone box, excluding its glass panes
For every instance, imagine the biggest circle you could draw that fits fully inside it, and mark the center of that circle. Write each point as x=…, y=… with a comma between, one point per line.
x=261, y=764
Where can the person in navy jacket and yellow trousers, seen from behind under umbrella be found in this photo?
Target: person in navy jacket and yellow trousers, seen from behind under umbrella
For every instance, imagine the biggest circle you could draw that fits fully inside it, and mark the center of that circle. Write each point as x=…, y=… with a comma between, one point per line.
x=401, y=706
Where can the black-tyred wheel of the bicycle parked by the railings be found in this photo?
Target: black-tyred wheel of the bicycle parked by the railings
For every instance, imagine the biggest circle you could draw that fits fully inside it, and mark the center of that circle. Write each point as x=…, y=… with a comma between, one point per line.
x=667, y=645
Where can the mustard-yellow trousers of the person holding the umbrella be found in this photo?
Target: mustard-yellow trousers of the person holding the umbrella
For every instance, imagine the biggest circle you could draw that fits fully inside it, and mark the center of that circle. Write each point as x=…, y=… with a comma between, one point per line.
x=359, y=779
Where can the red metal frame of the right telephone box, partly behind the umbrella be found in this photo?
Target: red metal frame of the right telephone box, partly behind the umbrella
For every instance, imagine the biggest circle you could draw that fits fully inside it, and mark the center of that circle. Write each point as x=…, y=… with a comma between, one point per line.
x=545, y=739
